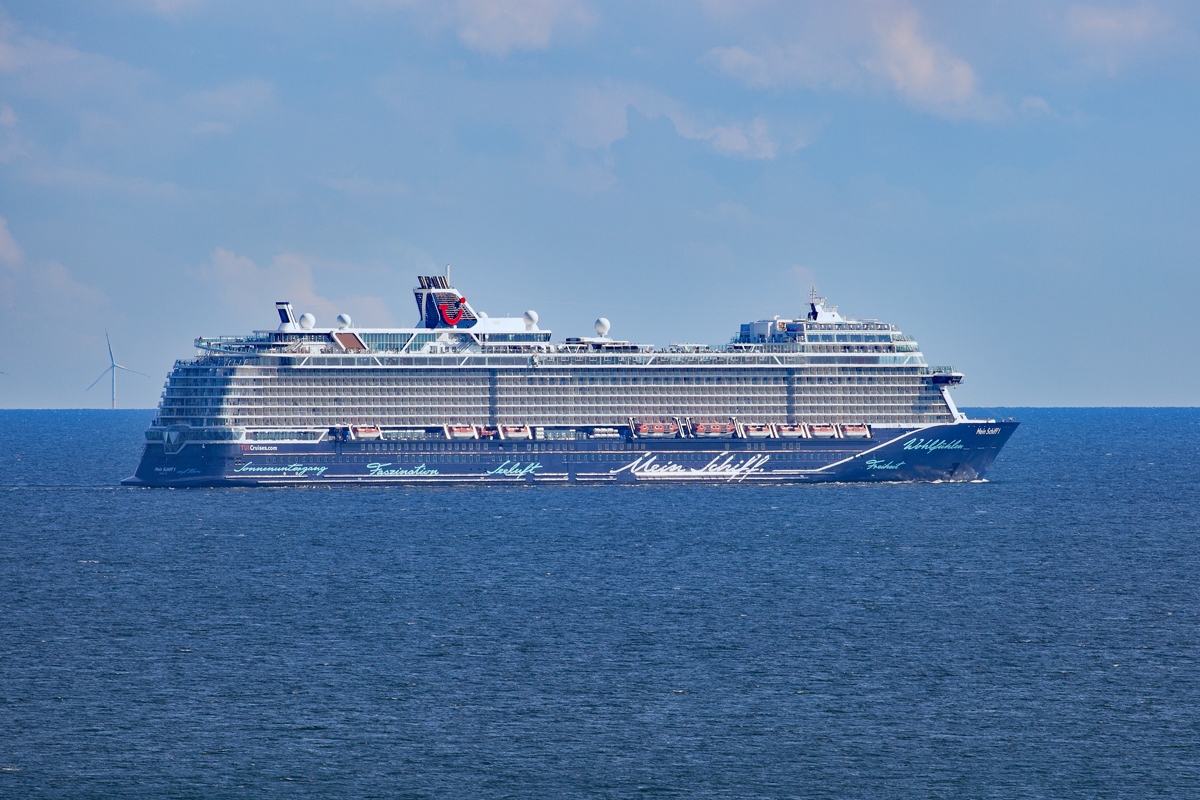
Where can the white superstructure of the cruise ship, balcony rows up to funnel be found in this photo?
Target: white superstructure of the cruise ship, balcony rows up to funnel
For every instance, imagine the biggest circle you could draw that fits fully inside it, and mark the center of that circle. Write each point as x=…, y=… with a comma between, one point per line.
x=459, y=366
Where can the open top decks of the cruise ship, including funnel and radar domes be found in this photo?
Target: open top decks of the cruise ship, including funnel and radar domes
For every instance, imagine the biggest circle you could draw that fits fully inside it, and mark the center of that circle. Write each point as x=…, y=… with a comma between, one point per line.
x=455, y=334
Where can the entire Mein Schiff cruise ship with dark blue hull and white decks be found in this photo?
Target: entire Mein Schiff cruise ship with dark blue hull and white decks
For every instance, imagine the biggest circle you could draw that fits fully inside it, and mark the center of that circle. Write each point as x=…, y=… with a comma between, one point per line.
x=464, y=398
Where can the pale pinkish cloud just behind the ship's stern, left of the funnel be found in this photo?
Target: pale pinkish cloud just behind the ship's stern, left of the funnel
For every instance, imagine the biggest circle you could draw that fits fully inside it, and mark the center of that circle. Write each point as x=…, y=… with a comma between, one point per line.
x=253, y=291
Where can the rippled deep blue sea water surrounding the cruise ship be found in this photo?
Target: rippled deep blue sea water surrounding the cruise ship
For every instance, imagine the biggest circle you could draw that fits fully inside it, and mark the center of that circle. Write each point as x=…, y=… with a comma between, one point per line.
x=1031, y=637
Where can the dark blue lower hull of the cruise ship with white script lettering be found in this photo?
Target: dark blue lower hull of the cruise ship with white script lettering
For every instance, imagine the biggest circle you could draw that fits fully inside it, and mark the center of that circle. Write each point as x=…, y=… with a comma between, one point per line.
x=961, y=452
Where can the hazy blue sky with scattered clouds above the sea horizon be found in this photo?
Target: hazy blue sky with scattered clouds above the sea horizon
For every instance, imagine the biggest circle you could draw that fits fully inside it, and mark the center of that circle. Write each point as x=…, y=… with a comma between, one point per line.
x=1013, y=184
